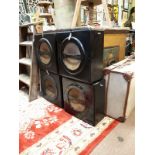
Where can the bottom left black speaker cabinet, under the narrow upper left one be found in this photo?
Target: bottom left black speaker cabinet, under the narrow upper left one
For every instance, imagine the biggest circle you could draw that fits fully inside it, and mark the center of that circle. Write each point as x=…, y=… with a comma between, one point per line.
x=51, y=88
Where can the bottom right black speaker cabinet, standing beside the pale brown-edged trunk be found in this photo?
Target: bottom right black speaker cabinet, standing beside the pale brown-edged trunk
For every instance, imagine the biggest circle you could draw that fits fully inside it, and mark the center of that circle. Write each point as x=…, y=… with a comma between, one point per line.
x=84, y=101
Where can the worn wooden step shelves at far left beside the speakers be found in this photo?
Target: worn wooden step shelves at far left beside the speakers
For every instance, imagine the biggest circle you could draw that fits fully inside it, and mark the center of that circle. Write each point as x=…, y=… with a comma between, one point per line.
x=30, y=80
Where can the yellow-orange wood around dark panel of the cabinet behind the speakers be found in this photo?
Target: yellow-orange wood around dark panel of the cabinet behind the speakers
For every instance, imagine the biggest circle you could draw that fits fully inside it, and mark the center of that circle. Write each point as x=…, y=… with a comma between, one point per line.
x=116, y=40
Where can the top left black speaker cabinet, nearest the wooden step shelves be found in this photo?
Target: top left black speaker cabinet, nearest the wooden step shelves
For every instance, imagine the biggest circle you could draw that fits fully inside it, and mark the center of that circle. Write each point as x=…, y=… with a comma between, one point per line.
x=45, y=50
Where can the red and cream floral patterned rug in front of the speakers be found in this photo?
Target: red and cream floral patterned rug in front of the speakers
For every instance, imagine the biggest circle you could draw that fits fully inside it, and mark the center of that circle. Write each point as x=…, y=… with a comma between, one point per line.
x=45, y=129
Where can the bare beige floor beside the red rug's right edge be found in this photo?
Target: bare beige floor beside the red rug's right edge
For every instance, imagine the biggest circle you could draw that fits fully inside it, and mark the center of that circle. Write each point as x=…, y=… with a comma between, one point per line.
x=121, y=141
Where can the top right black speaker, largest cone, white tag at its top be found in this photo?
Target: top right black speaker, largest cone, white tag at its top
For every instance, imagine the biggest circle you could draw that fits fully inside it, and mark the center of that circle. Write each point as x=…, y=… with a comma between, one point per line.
x=81, y=54
